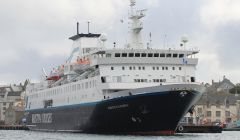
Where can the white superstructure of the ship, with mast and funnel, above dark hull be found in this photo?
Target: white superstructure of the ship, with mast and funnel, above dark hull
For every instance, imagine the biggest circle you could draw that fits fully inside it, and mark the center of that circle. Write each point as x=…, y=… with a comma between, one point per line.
x=93, y=73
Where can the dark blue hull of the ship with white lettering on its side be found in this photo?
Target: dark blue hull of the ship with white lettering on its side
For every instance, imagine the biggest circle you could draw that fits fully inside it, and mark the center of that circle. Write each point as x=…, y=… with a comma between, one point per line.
x=143, y=114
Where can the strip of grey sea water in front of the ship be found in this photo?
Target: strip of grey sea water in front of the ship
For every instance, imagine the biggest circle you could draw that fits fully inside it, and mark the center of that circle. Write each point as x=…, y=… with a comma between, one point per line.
x=33, y=135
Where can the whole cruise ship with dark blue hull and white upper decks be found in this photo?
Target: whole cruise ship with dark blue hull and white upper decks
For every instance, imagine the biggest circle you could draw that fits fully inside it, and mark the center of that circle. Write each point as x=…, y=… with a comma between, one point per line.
x=133, y=89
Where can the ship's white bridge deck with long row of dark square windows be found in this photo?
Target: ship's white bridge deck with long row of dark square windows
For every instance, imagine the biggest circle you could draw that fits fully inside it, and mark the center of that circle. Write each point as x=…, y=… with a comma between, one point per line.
x=142, y=56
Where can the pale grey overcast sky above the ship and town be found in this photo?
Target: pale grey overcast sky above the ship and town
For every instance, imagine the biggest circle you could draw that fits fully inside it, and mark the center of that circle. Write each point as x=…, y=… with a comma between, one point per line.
x=34, y=33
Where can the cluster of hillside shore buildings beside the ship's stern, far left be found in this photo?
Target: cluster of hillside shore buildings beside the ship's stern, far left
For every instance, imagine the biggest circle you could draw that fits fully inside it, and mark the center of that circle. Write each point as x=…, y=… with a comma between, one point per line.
x=11, y=104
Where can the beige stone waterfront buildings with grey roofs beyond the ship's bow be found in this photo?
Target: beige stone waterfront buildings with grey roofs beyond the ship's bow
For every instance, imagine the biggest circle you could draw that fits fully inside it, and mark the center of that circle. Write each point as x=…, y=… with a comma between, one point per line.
x=217, y=105
